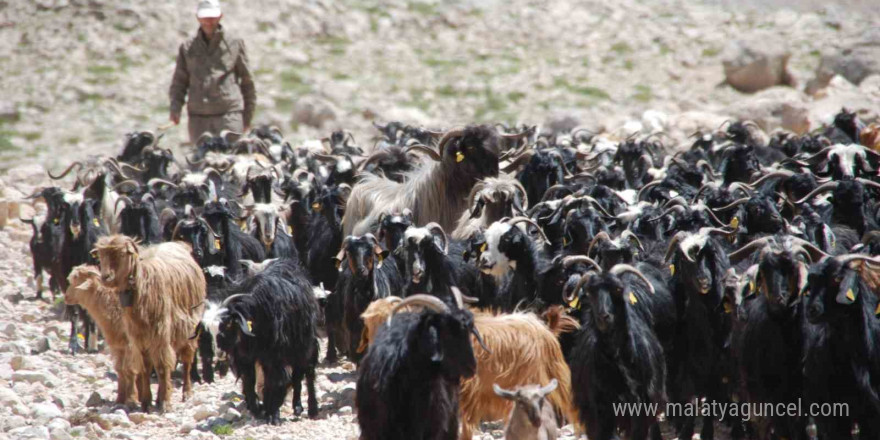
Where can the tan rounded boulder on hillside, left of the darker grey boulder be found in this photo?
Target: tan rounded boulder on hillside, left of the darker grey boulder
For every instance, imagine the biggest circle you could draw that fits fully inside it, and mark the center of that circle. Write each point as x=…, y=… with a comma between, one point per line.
x=756, y=64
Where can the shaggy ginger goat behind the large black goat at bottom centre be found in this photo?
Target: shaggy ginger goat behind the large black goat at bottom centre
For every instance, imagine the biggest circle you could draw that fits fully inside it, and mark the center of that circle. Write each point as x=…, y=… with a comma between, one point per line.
x=524, y=351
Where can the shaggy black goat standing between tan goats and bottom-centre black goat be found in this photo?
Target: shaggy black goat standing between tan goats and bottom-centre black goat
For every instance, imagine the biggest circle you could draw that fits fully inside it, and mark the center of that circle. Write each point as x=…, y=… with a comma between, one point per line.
x=273, y=322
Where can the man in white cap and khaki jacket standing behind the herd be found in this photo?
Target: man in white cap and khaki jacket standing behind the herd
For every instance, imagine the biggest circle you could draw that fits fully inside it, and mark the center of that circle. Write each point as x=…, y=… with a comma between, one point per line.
x=213, y=68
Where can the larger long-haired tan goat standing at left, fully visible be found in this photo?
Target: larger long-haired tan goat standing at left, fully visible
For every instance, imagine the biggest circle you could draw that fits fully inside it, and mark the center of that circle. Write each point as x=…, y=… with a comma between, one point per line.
x=162, y=291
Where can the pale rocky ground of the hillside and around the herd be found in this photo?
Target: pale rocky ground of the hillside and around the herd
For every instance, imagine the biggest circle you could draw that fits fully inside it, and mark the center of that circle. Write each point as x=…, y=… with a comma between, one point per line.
x=75, y=75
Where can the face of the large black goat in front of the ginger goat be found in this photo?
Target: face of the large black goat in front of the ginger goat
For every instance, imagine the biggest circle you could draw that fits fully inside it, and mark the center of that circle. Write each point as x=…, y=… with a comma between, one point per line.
x=446, y=337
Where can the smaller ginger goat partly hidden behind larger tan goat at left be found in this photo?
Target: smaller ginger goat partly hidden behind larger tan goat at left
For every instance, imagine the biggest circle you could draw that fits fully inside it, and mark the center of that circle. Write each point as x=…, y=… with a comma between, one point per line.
x=85, y=289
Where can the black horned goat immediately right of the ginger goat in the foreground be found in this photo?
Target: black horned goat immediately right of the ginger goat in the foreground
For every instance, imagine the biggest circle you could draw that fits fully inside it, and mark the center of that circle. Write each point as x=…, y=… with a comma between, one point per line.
x=617, y=358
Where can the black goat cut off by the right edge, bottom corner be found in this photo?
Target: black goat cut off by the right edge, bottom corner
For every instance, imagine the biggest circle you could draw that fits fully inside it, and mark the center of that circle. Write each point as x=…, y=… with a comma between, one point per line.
x=843, y=358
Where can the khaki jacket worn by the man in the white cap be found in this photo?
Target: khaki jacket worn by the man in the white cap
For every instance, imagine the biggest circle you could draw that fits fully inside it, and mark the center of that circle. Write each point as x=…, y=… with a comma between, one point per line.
x=216, y=75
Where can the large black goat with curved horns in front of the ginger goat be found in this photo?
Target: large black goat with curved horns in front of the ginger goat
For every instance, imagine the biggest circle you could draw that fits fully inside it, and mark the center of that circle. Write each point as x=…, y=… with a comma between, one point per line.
x=410, y=379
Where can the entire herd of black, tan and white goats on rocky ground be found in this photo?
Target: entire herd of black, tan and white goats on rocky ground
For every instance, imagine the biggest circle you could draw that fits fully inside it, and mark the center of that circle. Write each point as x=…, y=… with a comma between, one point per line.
x=577, y=273
